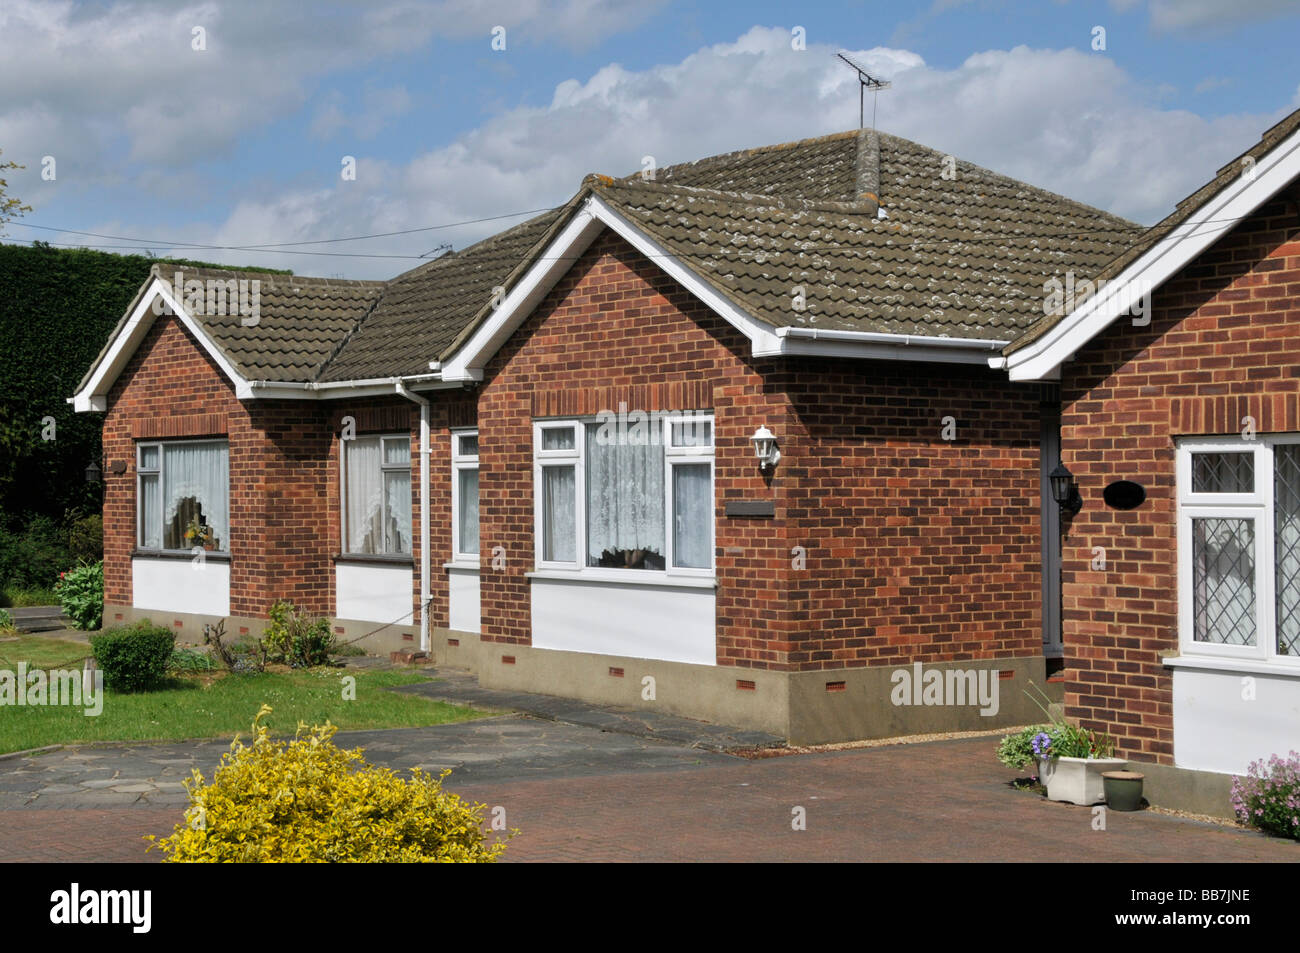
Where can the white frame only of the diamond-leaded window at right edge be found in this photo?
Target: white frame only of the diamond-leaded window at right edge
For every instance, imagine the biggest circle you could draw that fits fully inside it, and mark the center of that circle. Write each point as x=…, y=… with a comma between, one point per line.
x=1258, y=506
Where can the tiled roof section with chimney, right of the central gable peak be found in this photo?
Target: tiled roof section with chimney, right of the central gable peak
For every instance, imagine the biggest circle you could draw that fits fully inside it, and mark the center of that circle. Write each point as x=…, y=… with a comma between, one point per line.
x=960, y=257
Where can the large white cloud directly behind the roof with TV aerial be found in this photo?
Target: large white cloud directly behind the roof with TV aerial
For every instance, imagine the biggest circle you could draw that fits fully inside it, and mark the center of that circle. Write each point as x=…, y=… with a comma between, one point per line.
x=1068, y=120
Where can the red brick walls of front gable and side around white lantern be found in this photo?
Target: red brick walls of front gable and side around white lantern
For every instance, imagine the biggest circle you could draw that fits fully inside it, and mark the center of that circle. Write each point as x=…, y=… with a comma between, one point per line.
x=917, y=548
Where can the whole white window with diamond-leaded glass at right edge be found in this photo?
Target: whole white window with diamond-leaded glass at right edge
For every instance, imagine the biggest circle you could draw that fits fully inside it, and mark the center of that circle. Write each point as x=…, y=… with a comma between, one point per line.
x=1240, y=548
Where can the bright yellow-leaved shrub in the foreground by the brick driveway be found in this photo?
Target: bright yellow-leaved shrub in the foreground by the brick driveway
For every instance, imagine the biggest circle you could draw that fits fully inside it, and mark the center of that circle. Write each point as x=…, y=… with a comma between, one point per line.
x=310, y=802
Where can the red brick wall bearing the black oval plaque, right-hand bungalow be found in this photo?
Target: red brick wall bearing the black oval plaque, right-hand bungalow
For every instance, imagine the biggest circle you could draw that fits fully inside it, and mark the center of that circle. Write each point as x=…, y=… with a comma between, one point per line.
x=1224, y=343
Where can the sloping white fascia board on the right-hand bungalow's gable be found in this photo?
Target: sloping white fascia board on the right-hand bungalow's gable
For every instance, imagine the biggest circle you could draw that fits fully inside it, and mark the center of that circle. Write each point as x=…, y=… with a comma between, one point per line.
x=1160, y=263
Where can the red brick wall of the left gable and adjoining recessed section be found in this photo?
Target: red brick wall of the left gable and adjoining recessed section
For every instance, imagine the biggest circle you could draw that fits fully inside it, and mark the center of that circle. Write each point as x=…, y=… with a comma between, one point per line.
x=284, y=474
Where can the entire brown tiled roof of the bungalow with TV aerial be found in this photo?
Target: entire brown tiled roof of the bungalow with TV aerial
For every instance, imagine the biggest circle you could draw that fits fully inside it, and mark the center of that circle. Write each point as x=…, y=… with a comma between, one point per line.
x=963, y=253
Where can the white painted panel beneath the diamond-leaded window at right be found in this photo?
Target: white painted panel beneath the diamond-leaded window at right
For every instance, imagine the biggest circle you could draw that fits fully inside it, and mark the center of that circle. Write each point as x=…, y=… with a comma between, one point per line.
x=1217, y=730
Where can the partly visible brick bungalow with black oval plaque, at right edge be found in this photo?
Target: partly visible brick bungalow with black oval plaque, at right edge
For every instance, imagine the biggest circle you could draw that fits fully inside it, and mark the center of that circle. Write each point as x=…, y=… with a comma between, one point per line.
x=1182, y=614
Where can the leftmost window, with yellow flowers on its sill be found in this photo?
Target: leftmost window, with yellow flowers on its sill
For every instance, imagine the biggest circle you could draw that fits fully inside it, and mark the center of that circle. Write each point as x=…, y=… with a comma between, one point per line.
x=183, y=496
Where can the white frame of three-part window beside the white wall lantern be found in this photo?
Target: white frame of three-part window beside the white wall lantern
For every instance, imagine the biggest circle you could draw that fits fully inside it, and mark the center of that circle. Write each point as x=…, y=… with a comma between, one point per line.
x=577, y=458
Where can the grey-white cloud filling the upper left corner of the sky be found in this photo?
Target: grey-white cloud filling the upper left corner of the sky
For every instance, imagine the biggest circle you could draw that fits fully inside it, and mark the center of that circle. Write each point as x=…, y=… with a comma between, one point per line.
x=123, y=79
